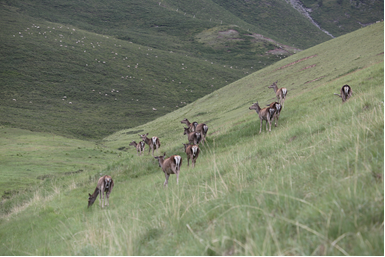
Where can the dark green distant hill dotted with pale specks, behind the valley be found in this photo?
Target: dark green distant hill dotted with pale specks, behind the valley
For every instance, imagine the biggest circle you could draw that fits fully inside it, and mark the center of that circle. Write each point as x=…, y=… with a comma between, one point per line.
x=86, y=69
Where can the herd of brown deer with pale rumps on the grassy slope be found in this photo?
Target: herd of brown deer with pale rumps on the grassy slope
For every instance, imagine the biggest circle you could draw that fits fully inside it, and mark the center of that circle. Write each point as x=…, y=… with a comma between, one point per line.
x=196, y=133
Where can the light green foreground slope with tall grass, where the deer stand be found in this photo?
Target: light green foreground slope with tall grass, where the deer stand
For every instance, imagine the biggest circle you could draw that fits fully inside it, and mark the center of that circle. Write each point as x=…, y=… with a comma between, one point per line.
x=313, y=186
